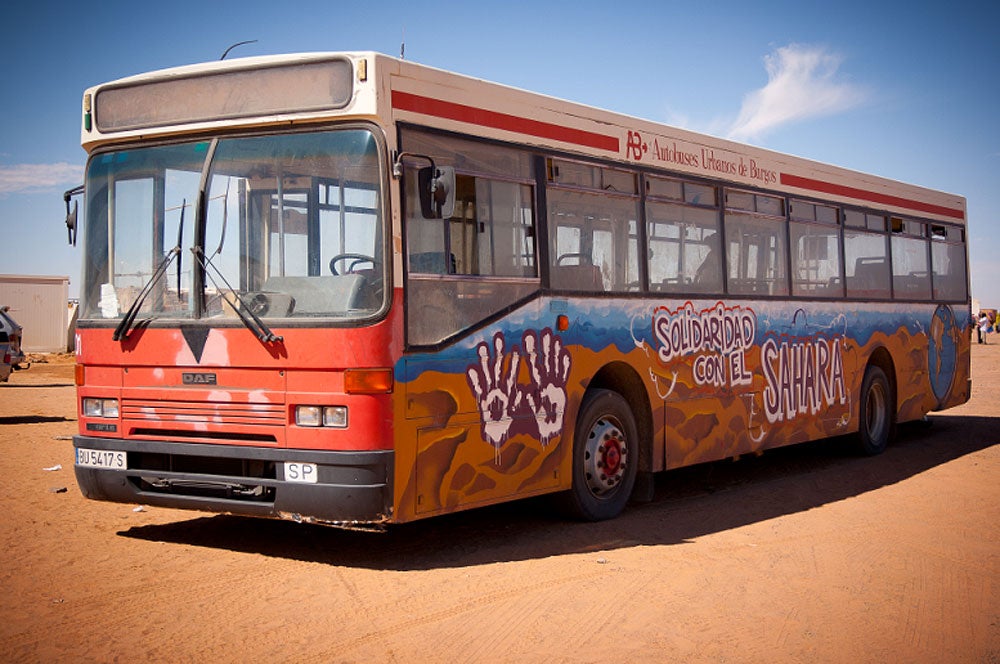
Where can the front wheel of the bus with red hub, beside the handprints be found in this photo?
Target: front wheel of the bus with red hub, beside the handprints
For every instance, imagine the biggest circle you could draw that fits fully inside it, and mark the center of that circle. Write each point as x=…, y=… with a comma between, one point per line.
x=605, y=457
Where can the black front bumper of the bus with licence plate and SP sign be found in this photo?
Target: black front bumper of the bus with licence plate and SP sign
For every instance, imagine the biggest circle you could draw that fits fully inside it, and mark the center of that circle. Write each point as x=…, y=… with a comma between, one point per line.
x=347, y=489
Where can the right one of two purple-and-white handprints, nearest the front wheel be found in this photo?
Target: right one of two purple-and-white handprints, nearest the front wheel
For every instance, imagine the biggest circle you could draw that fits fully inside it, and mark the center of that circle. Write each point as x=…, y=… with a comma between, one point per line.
x=549, y=375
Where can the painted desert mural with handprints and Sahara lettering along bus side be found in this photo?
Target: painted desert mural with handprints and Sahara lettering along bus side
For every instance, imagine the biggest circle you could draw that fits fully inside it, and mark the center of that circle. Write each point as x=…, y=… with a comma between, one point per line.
x=723, y=378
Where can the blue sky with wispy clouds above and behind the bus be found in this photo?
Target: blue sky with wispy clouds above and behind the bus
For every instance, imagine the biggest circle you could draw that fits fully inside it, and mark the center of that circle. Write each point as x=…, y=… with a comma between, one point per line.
x=909, y=92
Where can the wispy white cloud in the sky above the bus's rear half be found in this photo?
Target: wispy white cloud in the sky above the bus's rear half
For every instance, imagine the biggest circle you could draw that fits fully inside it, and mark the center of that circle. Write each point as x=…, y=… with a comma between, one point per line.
x=802, y=83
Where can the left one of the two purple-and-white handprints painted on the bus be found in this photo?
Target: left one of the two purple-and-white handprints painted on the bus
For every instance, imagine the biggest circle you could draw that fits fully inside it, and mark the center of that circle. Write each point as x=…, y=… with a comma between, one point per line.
x=496, y=390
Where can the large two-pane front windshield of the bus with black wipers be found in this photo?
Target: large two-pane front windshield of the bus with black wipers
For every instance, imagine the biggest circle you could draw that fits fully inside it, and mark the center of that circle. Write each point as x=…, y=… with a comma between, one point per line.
x=291, y=226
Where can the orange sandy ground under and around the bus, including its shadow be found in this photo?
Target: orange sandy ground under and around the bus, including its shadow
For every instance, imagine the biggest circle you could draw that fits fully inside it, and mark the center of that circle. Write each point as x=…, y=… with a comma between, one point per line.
x=805, y=554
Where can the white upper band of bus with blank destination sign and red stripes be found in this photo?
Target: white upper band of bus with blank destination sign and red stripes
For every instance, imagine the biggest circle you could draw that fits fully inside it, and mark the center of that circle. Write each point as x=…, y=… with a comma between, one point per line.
x=312, y=87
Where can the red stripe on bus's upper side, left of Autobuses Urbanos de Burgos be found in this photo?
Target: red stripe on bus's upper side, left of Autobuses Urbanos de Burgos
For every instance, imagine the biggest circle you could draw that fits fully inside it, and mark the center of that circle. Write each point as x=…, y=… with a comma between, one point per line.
x=407, y=101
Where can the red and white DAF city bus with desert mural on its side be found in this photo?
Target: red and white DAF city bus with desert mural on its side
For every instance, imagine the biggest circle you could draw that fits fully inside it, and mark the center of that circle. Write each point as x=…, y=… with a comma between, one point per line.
x=349, y=289
